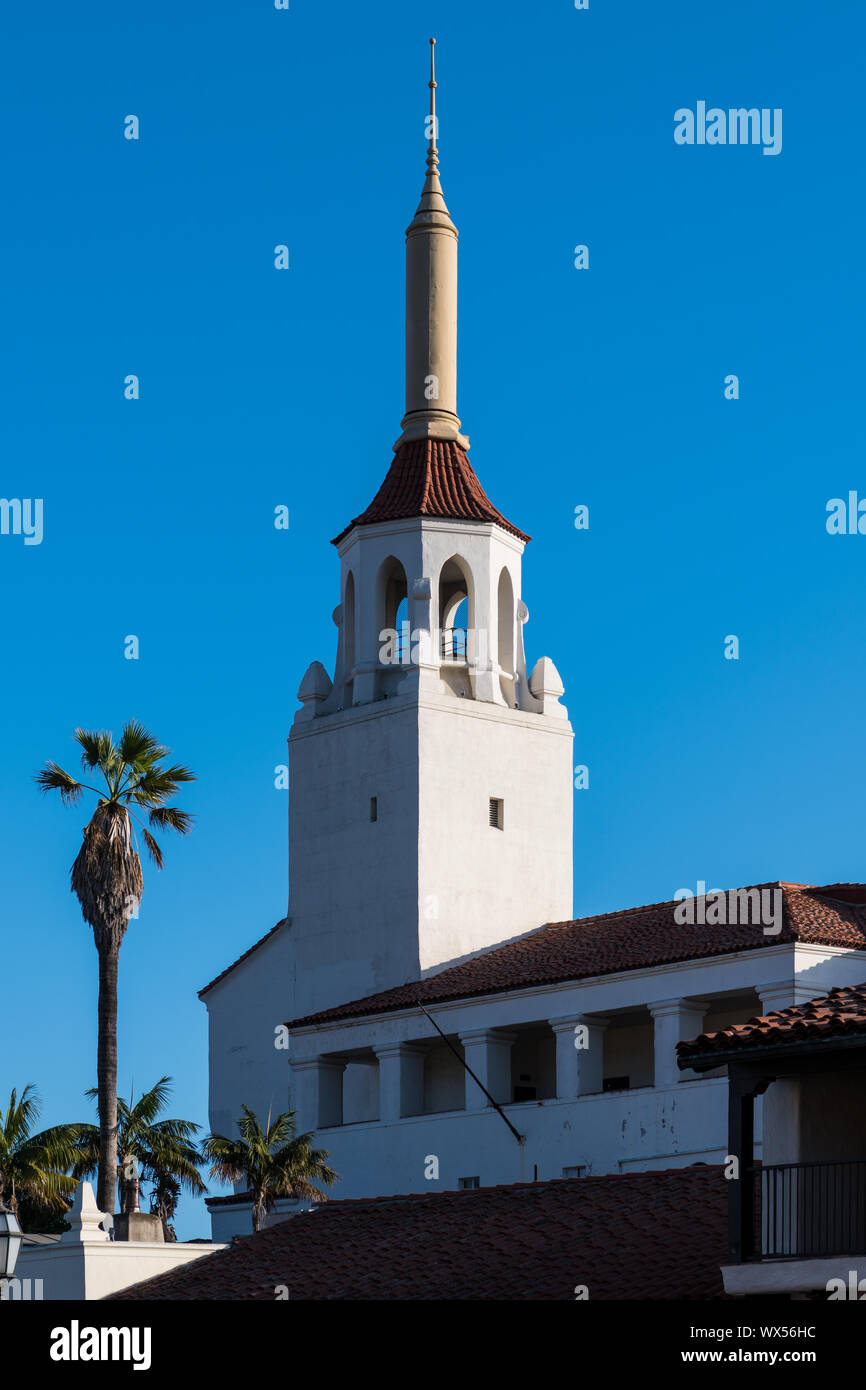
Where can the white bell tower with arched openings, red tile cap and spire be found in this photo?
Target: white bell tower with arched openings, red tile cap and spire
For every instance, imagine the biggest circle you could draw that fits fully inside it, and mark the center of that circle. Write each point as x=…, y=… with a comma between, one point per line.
x=430, y=778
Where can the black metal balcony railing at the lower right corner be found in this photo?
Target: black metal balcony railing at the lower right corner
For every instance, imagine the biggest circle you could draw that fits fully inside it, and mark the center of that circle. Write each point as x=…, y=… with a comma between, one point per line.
x=810, y=1210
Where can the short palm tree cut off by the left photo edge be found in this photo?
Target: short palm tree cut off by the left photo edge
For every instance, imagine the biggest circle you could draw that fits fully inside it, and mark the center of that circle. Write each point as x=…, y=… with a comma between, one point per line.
x=34, y=1167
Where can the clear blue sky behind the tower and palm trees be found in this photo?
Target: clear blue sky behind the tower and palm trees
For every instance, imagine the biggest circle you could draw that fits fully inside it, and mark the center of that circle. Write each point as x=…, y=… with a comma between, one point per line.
x=261, y=389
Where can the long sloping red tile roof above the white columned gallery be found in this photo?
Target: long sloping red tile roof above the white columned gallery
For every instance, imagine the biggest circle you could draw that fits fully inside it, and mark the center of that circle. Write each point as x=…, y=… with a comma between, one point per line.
x=635, y=940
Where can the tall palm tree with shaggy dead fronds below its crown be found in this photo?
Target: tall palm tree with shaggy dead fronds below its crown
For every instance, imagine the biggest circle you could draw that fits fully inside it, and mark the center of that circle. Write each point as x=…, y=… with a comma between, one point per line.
x=108, y=879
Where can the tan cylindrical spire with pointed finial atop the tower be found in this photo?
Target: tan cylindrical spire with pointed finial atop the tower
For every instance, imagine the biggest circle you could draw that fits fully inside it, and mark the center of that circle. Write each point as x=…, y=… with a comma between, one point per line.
x=432, y=305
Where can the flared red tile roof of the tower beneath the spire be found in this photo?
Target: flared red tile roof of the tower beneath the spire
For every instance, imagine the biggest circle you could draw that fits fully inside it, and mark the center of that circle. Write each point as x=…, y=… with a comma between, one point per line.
x=432, y=479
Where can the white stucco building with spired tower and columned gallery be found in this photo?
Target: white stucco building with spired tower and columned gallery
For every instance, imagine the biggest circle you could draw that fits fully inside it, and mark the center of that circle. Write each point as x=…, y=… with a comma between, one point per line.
x=430, y=862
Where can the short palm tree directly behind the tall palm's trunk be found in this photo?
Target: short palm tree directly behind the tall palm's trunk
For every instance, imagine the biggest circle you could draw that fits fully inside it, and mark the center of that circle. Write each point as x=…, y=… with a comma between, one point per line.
x=166, y=1150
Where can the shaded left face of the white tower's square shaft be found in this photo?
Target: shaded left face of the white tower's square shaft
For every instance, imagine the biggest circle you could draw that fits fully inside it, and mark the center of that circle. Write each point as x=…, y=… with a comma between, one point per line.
x=354, y=882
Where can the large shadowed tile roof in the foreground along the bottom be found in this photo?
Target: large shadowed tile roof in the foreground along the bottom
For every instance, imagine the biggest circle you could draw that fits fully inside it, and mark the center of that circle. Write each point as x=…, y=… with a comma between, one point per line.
x=626, y=1236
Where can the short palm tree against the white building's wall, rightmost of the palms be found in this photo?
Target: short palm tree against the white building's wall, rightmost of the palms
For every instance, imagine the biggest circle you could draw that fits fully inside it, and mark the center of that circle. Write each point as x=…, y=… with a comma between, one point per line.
x=273, y=1161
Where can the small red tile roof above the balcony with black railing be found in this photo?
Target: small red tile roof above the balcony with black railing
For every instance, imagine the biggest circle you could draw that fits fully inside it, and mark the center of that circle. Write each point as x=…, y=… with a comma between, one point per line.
x=838, y=1015
